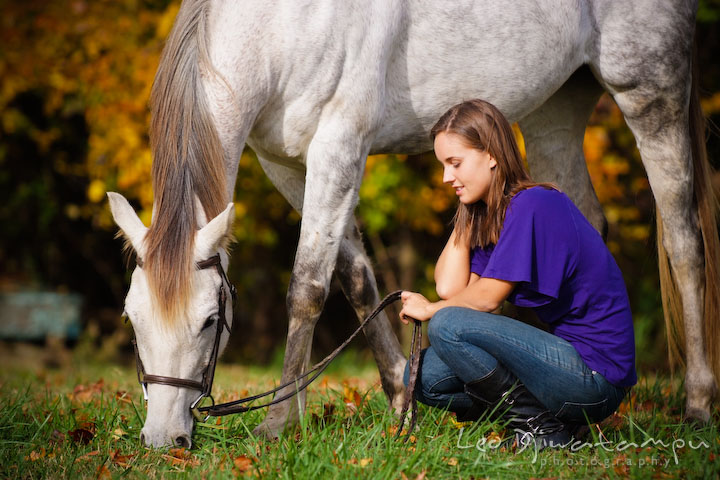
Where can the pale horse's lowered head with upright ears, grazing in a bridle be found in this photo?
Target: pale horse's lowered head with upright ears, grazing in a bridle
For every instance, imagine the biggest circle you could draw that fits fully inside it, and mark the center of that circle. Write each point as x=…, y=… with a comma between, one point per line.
x=175, y=355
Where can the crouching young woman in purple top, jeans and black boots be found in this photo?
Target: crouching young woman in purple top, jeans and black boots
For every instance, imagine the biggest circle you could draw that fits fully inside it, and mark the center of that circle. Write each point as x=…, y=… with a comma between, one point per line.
x=527, y=243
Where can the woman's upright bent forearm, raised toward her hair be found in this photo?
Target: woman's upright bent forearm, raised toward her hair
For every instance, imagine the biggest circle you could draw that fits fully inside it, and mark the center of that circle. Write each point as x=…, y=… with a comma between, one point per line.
x=452, y=271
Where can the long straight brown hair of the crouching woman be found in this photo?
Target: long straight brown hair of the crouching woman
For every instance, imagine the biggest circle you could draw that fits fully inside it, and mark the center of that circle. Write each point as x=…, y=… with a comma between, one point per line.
x=483, y=127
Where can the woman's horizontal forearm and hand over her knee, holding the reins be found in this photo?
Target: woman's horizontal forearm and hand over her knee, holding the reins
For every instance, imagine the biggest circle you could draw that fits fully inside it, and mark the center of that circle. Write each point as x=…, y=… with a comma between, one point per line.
x=483, y=294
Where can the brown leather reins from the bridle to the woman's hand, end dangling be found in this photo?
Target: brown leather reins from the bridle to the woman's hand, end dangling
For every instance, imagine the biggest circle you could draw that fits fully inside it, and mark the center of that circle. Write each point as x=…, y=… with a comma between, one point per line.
x=237, y=406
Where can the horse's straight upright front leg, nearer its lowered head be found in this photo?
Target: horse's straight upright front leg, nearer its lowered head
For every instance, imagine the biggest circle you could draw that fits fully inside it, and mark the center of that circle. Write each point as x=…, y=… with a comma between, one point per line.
x=332, y=180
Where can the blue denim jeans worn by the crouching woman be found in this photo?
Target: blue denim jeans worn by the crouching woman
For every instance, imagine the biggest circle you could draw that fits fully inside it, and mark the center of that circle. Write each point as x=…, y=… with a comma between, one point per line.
x=467, y=344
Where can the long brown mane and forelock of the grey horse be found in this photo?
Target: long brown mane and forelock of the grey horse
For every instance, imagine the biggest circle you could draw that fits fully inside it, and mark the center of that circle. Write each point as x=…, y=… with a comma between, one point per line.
x=187, y=161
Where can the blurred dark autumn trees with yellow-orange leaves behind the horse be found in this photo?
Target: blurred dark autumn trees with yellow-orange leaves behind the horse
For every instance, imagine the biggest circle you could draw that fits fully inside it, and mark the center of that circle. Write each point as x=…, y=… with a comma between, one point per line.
x=75, y=78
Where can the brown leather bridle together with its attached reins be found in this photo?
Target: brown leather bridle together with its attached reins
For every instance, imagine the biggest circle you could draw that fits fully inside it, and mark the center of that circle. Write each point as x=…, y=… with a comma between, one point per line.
x=201, y=413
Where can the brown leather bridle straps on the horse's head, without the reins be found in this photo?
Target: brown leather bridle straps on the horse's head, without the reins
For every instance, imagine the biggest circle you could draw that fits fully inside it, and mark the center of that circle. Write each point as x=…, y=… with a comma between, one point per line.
x=205, y=385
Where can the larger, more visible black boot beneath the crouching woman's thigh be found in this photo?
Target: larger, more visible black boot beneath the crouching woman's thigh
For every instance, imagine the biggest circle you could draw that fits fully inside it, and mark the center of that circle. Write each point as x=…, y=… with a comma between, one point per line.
x=502, y=393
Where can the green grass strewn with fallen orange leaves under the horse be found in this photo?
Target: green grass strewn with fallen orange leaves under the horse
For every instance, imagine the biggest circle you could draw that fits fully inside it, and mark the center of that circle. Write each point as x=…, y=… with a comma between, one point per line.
x=69, y=424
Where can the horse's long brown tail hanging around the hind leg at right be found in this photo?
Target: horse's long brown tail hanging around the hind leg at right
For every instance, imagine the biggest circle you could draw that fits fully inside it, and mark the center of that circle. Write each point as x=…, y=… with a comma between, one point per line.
x=707, y=207
